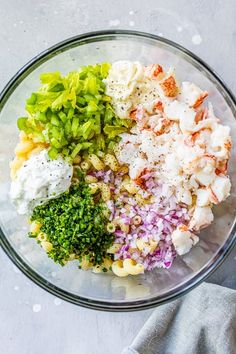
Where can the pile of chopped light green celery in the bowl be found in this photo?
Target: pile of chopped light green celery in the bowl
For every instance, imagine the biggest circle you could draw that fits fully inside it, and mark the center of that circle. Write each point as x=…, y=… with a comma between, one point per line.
x=73, y=113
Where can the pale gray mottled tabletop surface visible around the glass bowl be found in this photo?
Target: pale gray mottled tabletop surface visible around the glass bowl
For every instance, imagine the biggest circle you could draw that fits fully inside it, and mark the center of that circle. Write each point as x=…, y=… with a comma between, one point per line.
x=33, y=321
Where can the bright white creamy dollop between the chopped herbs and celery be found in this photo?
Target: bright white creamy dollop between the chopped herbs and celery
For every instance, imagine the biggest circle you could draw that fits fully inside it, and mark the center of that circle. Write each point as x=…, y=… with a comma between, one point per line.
x=39, y=180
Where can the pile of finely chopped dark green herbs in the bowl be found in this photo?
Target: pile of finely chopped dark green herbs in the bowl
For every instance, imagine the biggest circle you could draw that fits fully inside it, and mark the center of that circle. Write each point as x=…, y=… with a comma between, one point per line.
x=75, y=224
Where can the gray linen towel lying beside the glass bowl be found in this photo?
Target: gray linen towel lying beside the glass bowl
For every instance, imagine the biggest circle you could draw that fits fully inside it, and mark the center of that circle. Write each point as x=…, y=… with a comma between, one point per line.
x=201, y=322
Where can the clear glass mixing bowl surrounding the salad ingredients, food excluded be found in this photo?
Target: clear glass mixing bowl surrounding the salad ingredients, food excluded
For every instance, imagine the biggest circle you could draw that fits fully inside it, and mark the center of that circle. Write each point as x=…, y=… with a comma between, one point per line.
x=105, y=291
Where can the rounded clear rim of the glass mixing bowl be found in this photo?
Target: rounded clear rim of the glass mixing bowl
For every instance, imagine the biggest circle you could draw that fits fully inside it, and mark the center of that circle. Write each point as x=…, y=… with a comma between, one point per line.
x=117, y=306
